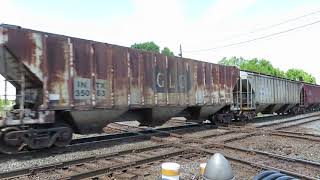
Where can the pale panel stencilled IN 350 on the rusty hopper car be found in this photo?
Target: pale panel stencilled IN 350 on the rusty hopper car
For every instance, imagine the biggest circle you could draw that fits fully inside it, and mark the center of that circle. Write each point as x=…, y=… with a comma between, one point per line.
x=81, y=88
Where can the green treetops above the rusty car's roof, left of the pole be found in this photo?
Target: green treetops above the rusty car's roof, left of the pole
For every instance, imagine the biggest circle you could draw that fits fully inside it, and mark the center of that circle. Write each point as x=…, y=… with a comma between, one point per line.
x=152, y=47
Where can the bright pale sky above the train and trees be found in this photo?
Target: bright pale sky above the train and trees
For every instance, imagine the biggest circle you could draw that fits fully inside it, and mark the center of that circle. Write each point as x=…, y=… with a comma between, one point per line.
x=193, y=23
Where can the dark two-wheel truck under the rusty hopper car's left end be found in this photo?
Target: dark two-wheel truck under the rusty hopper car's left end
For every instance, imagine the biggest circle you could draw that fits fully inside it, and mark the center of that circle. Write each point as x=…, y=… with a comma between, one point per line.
x=14, y=139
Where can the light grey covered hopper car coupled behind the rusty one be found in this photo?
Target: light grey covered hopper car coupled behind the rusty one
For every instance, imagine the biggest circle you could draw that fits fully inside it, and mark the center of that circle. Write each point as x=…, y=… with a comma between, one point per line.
x=260, y=93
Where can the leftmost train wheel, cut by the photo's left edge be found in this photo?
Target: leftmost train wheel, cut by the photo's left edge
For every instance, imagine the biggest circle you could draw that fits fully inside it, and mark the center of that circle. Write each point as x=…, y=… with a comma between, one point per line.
x=10, y=143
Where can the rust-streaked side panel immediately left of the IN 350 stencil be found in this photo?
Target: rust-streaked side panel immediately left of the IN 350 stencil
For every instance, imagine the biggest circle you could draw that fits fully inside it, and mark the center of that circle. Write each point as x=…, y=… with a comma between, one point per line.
x=56, y=71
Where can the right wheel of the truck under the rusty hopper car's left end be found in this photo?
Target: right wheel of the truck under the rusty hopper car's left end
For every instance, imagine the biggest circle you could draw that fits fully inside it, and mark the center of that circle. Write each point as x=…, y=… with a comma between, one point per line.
x=65, y=136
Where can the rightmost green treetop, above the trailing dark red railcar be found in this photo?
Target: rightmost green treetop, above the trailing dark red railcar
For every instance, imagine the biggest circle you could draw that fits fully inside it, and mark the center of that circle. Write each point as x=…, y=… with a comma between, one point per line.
x=300, y=75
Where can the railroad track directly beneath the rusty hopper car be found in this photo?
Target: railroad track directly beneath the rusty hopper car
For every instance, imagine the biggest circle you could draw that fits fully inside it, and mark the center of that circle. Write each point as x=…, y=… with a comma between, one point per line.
x=108, y=139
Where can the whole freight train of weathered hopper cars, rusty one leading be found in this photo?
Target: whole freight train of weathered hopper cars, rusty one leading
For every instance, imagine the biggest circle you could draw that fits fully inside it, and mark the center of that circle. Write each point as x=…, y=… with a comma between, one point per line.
x=67, y=85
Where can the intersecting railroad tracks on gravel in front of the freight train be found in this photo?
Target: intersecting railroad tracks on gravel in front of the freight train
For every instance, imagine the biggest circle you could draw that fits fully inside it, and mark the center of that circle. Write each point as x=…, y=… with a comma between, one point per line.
x=181, y=145
